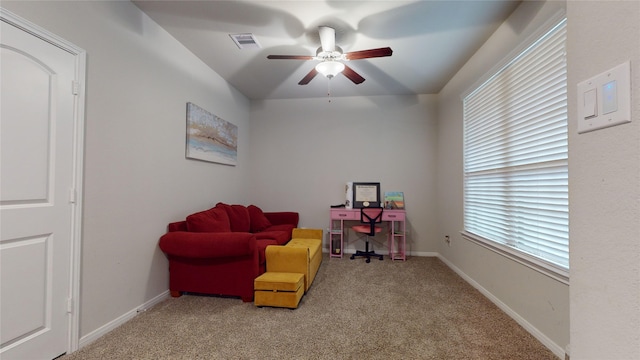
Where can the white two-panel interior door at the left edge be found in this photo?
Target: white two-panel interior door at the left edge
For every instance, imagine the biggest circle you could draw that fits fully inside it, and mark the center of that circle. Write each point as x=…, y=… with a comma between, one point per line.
x=37, y=194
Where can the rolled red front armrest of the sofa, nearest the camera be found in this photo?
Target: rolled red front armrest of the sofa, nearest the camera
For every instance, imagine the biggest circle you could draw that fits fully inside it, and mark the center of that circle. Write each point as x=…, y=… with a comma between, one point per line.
x=207, y=245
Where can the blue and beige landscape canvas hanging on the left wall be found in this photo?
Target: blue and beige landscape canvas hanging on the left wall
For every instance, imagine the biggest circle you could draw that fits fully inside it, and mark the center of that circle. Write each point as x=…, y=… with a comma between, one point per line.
x=210, y=138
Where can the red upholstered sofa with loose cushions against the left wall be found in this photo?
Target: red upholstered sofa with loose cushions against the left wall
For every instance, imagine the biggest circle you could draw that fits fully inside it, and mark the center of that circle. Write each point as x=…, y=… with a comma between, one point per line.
x=220, y=251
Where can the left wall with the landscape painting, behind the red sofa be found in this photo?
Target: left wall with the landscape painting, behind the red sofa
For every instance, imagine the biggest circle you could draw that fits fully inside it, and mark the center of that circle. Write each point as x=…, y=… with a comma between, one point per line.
x=137, y=179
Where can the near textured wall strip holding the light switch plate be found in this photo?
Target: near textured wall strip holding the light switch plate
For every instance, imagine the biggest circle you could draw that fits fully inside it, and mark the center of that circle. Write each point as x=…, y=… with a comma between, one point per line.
x=604, y=189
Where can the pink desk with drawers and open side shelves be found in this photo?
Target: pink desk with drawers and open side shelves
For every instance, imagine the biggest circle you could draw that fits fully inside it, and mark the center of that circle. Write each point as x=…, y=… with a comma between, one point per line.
x=396, y=232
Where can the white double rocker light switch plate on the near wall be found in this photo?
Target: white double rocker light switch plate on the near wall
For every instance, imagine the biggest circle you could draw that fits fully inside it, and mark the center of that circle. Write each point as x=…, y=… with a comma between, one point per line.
x=613, y=99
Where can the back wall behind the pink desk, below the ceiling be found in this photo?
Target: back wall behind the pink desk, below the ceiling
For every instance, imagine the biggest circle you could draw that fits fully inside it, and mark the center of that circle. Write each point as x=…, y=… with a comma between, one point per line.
x=304, y=151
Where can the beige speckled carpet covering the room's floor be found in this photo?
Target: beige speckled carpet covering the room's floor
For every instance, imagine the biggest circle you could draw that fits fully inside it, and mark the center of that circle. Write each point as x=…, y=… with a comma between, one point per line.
x=418, y=309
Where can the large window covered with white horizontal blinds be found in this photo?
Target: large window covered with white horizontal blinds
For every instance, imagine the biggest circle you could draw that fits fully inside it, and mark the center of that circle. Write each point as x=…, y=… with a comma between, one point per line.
x=516, y=158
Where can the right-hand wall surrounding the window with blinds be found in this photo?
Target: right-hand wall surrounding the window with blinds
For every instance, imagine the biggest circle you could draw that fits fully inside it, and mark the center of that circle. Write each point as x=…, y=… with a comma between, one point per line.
x=538, y=302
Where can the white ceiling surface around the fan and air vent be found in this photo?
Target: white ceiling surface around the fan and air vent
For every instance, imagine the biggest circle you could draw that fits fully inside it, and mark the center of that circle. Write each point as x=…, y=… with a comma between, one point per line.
x=430, y=40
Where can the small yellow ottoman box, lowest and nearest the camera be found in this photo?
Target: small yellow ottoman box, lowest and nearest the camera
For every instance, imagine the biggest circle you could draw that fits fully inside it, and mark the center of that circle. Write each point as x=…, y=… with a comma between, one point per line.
x=278, y=289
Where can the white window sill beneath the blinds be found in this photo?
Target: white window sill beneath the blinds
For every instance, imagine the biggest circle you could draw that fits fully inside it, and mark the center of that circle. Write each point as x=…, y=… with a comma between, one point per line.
x=548, y=269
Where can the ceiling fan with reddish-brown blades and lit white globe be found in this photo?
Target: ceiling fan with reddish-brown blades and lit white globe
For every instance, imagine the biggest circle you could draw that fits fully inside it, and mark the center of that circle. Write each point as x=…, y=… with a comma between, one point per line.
x=331, y=57
